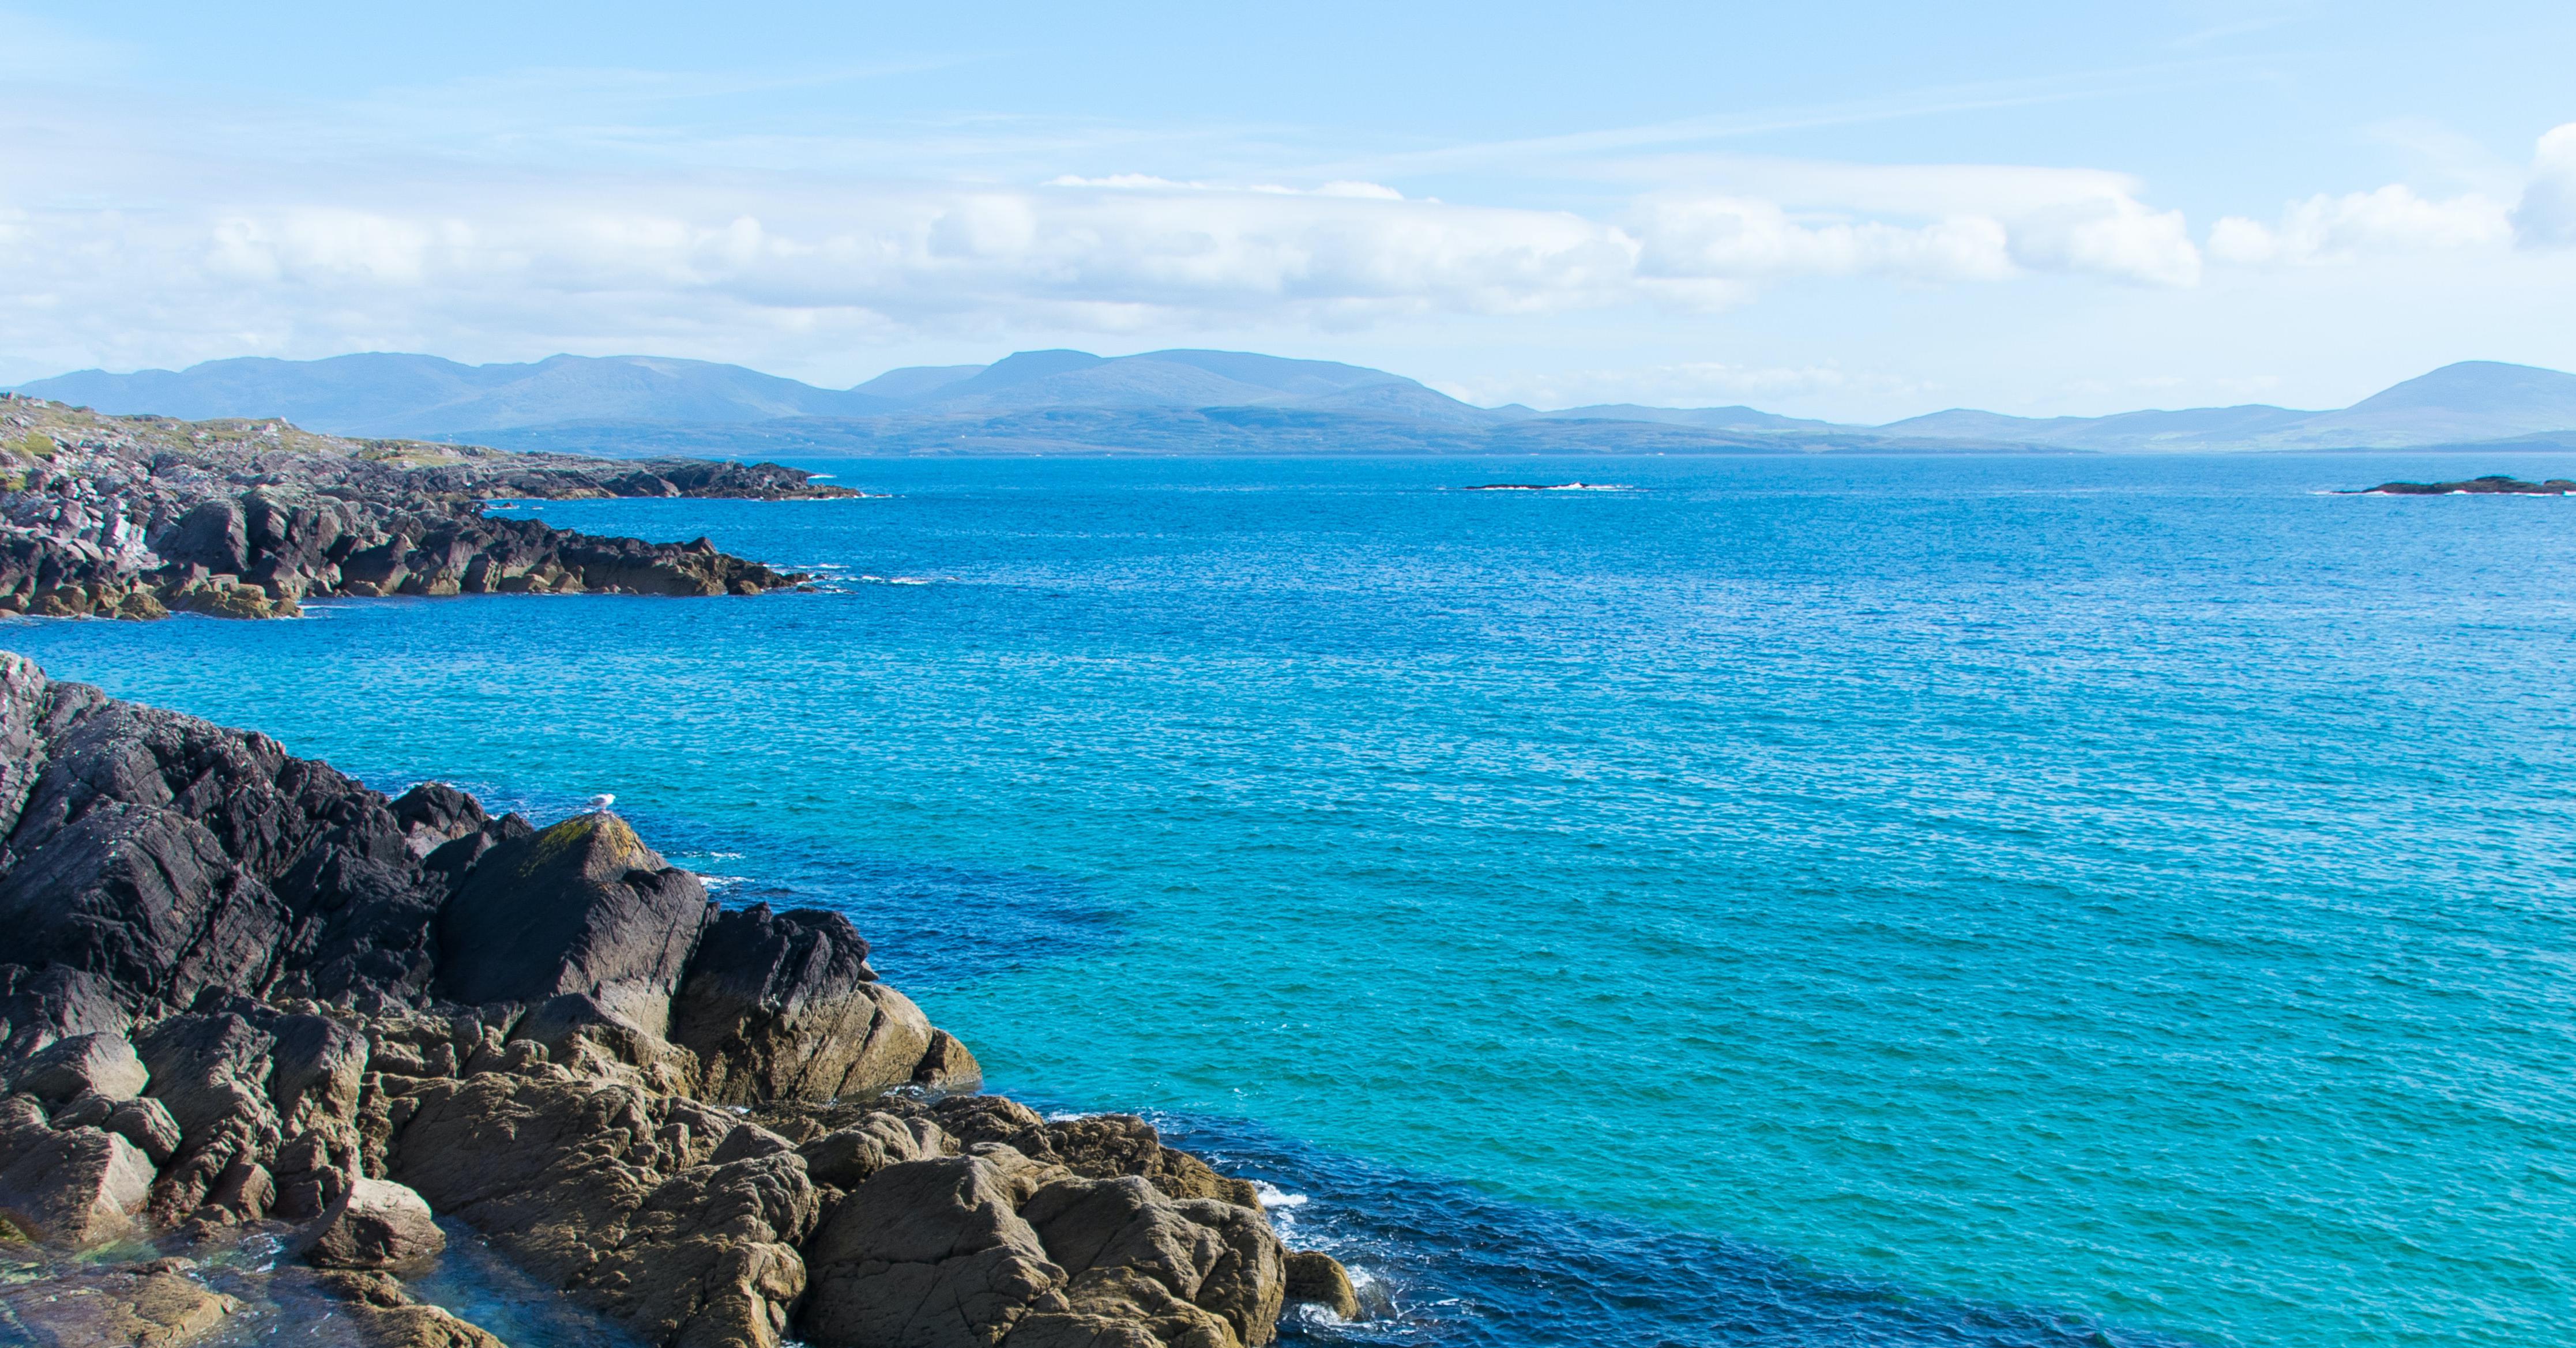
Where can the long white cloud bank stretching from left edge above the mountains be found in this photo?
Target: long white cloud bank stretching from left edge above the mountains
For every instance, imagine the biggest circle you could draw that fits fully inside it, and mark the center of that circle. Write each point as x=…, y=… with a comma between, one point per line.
x=1075, y=254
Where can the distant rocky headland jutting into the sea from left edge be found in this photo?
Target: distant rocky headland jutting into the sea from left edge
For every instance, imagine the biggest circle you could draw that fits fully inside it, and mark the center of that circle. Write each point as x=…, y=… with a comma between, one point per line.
x=138, y=517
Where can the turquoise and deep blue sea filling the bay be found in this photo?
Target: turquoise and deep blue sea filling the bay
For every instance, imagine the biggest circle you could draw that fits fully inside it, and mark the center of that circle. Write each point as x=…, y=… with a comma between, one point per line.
x=2065, y=901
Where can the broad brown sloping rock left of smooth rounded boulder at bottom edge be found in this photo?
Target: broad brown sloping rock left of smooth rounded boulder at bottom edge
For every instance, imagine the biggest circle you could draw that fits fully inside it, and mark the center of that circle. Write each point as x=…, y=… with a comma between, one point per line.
x=612, y=1195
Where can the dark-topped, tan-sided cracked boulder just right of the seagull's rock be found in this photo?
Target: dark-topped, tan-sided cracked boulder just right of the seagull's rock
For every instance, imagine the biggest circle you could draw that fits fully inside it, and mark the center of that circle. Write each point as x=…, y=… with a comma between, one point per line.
x=784, y=1006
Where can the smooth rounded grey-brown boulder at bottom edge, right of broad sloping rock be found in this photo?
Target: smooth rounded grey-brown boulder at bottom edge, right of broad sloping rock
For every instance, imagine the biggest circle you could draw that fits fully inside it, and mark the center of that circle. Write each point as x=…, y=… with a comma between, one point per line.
x=926, y=1254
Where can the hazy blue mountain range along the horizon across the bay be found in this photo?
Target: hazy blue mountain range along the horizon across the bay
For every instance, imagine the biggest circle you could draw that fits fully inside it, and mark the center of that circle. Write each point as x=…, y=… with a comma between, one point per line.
x=1209, y=403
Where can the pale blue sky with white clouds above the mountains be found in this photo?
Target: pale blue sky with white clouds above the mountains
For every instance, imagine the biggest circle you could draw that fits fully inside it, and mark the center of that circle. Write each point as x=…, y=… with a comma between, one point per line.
x=1853, y=213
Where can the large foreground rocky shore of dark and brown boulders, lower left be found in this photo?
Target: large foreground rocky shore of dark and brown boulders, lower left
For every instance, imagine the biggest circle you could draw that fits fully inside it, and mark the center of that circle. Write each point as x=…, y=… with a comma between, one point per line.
x=254, y=1001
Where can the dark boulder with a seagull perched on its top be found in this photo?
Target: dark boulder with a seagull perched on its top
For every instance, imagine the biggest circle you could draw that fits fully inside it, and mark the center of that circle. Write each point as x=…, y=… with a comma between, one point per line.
x=578, y=909
